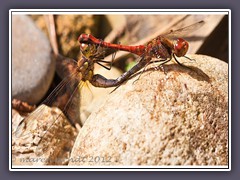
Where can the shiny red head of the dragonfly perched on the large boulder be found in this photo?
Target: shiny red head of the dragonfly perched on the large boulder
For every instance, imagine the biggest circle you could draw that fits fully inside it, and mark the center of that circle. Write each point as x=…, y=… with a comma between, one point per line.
x=181, y=47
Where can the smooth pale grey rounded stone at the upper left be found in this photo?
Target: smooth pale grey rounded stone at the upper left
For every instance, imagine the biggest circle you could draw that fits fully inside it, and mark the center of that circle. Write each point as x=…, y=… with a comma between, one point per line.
x=32, y=65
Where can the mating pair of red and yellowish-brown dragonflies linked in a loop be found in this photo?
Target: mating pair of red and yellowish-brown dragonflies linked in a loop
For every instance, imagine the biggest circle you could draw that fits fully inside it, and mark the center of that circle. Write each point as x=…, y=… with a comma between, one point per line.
x=161, y=49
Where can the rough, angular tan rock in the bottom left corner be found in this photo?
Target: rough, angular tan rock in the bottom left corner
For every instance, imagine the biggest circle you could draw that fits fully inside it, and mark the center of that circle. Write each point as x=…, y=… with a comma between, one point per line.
x=45, y=137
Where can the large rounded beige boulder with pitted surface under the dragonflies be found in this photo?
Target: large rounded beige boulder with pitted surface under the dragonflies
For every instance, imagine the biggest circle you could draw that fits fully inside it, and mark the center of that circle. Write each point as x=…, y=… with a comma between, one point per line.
x=177, y=118
